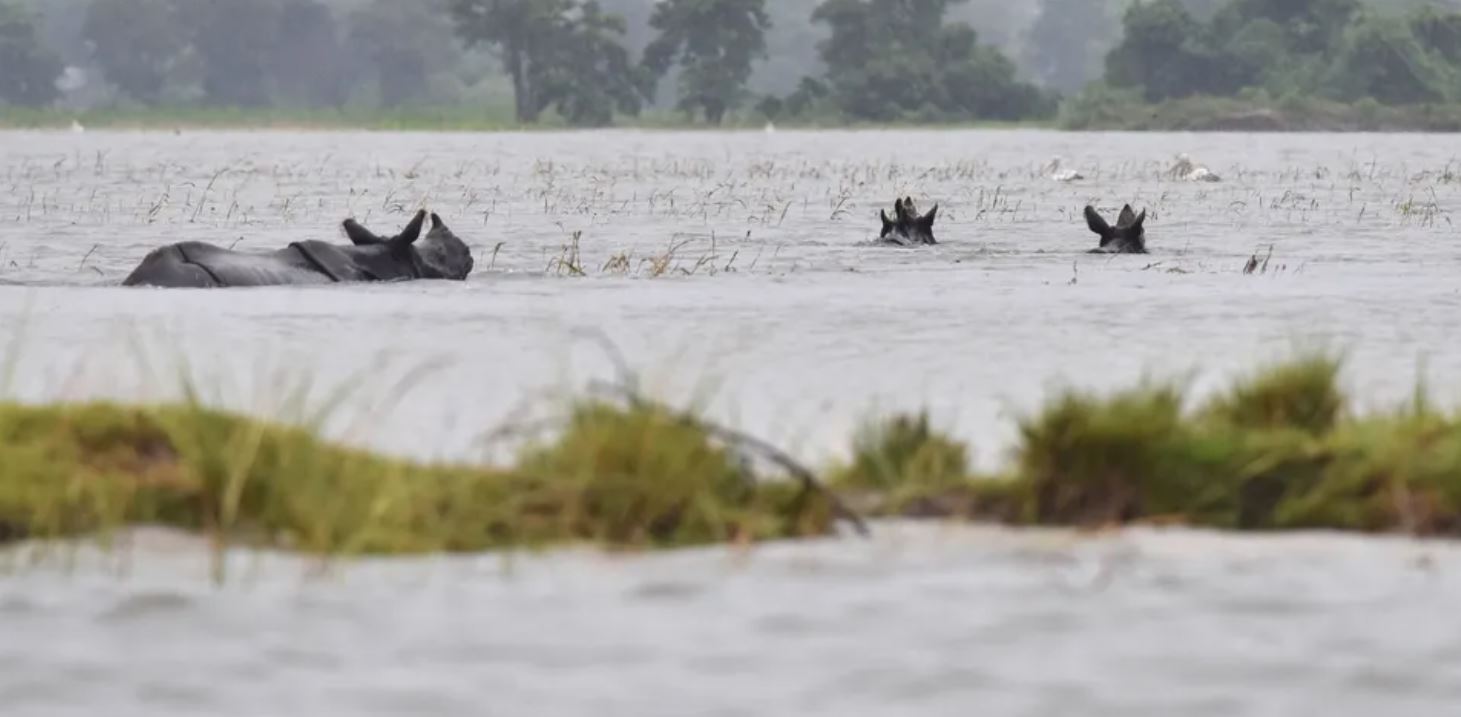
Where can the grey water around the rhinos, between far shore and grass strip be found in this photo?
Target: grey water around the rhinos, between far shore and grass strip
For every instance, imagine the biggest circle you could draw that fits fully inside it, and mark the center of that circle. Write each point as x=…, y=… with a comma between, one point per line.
x=771, y=306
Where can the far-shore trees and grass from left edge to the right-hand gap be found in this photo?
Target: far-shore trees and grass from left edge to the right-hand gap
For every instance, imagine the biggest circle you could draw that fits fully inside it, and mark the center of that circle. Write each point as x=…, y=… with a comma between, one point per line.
x=573, y=62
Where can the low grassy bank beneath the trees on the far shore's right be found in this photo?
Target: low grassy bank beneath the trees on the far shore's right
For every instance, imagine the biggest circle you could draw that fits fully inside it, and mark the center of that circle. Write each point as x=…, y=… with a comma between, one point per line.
x=1126, y=112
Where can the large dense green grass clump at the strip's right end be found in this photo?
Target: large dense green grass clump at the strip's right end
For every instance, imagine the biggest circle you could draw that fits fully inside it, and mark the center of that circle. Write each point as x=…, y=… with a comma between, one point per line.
x=1278, y=452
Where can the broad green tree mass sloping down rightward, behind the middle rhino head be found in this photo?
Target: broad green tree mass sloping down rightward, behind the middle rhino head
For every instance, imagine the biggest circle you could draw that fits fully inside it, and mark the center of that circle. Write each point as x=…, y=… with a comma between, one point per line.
x=898, y=59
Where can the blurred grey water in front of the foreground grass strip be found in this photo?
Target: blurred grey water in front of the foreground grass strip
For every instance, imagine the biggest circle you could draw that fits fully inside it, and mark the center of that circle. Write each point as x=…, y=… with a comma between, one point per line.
x=917, y=621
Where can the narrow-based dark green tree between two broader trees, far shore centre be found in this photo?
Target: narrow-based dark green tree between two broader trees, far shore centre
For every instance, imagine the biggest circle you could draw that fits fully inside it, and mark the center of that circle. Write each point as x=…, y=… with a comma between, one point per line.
x=714, y=43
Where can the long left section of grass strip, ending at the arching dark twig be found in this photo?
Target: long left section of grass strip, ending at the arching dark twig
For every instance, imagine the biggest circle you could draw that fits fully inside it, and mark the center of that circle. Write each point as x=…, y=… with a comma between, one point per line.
x=617, y=477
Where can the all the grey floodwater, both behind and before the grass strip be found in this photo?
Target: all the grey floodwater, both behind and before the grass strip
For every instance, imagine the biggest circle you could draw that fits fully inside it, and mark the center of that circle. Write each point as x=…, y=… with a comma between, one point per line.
x=736, y=272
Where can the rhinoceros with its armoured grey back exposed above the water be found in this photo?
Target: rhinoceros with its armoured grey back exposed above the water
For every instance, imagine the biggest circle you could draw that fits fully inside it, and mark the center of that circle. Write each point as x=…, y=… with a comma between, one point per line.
x=440, y=255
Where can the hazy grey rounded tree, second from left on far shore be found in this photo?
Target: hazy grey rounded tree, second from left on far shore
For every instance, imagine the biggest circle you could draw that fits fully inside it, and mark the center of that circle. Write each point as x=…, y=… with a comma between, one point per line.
x=138, y=45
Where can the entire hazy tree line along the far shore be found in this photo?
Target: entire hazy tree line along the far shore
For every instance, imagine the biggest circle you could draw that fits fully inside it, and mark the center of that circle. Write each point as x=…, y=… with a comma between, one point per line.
x=879, y=61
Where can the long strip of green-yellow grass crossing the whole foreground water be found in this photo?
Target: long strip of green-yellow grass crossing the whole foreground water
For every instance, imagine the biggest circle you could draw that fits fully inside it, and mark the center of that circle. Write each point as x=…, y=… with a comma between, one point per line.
x=1282, y=449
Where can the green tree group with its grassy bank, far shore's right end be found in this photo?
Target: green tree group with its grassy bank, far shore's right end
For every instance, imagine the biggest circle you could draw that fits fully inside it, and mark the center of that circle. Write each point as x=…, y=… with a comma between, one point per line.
x=1256, y=65
